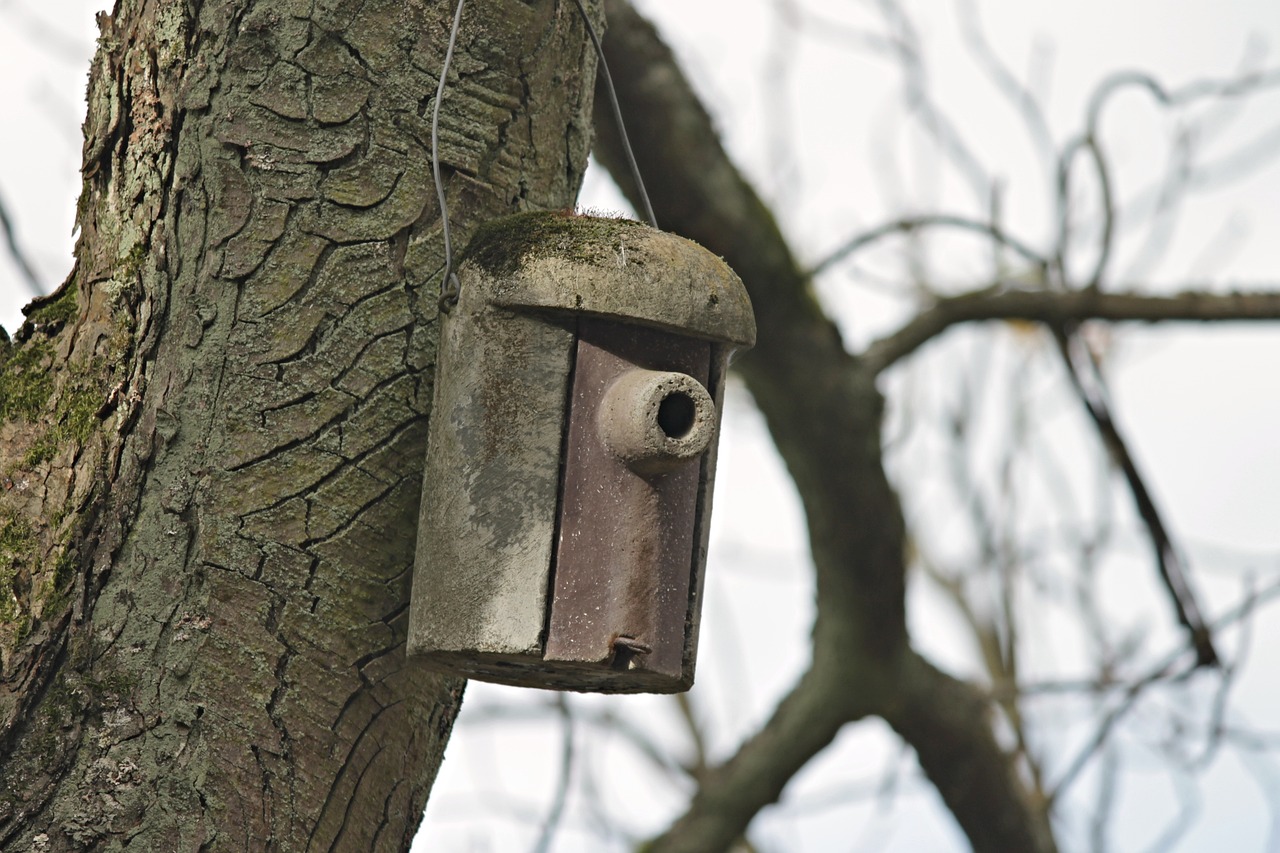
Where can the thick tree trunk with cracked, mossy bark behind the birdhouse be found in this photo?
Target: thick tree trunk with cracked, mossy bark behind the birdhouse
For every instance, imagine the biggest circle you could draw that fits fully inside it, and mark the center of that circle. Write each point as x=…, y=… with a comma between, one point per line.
x=212, y=440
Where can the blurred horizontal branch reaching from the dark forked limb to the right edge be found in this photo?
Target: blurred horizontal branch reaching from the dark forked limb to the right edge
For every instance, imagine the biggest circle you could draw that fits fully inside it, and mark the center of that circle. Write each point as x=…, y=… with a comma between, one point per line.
x=1196, y=305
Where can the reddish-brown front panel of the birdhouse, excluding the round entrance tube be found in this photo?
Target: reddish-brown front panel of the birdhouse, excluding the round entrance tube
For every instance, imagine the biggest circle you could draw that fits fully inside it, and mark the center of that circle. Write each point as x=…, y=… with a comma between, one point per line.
x=628, y=548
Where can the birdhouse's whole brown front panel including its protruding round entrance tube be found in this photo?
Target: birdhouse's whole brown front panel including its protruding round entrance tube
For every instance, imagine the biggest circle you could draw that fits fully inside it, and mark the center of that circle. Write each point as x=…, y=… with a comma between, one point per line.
x=627, y=551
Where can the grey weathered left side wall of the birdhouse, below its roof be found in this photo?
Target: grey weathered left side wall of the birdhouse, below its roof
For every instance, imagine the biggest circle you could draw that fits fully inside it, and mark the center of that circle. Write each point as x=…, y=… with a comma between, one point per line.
x=490, y=495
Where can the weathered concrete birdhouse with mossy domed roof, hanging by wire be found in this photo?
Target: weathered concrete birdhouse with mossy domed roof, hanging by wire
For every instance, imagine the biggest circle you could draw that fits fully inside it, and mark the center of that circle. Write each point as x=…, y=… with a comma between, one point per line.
x=572, y=455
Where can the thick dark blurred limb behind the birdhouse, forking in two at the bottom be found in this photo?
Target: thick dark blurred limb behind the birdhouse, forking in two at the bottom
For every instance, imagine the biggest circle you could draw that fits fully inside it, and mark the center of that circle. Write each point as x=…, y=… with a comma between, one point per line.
x=824, y=412
